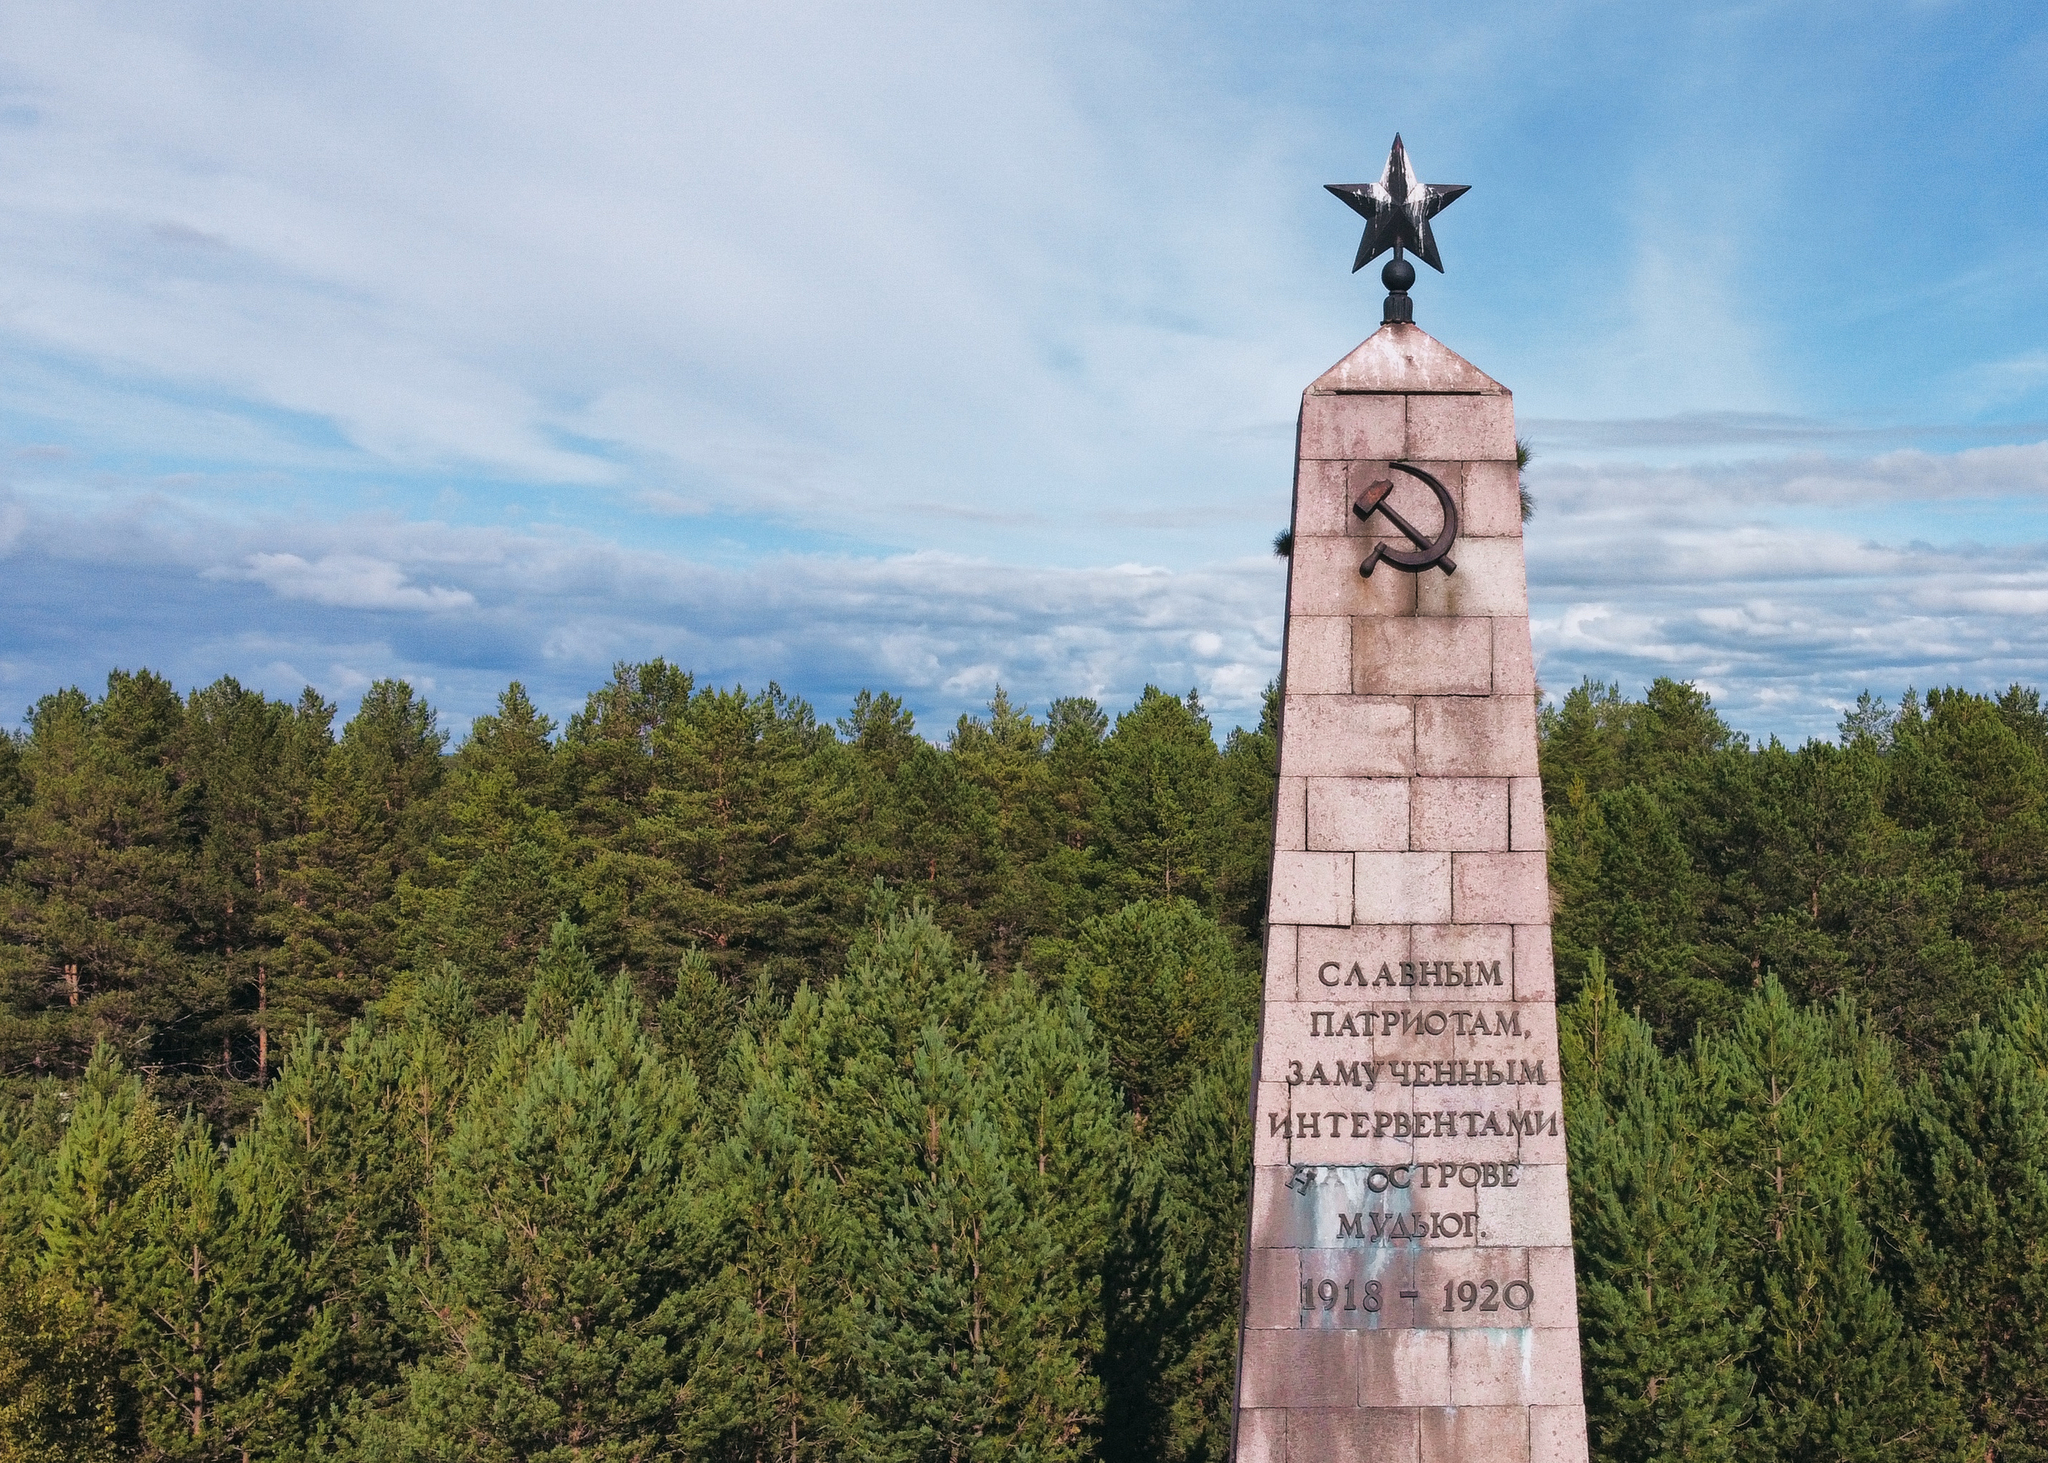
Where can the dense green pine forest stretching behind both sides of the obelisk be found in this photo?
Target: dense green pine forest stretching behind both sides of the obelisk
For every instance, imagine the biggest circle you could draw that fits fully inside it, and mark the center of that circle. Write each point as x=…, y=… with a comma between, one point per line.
x=703, y=1081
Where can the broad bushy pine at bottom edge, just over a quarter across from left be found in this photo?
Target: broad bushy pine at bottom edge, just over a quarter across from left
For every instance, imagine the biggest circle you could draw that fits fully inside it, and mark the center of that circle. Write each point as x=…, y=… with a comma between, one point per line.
x=562, y=1253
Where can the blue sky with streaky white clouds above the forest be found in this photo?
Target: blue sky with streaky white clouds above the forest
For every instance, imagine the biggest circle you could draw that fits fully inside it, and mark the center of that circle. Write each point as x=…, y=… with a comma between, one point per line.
x=929, y=347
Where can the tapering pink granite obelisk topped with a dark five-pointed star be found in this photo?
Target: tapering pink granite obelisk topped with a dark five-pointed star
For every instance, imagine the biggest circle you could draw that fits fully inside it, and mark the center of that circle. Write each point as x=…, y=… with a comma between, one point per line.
x=1408, y=1280
